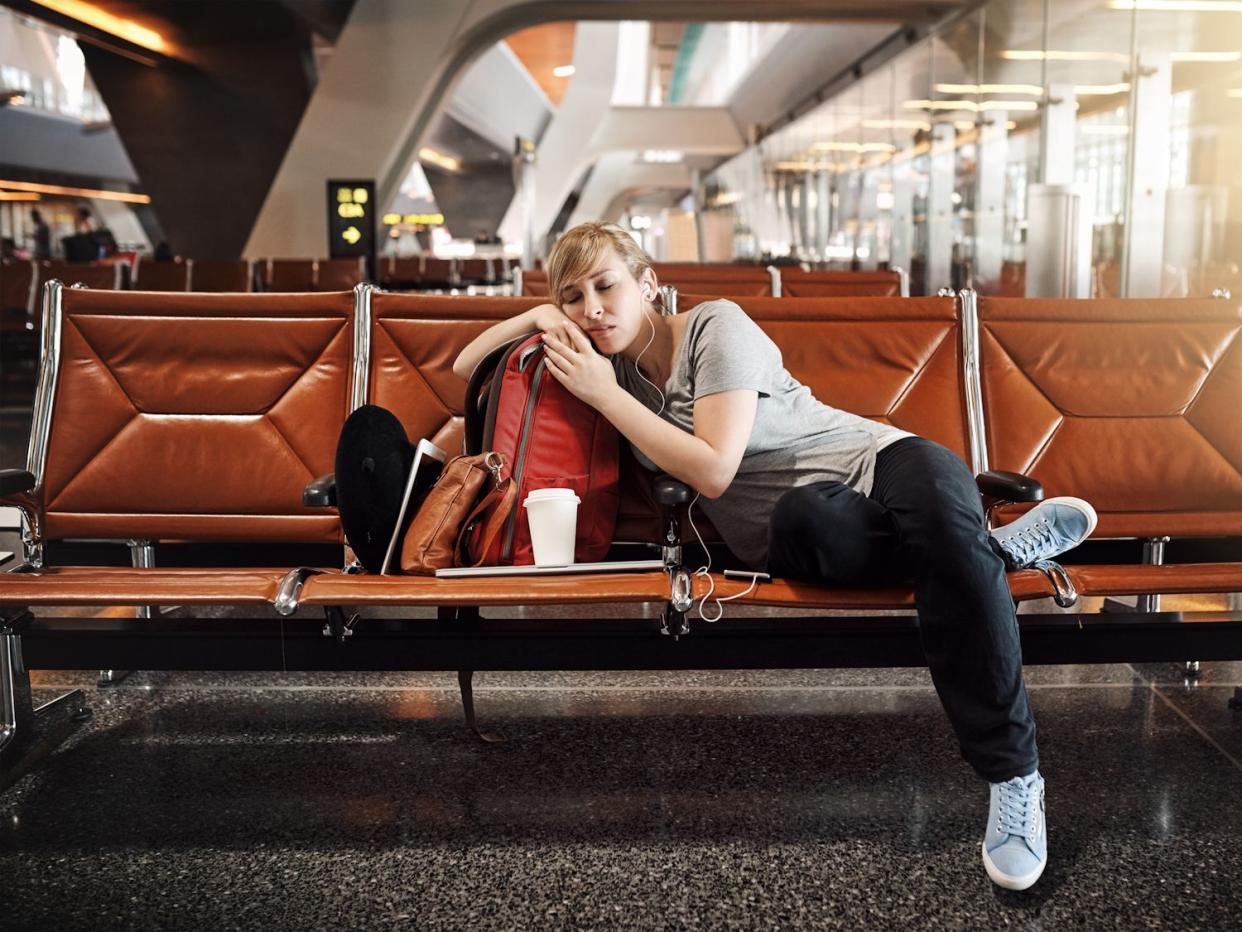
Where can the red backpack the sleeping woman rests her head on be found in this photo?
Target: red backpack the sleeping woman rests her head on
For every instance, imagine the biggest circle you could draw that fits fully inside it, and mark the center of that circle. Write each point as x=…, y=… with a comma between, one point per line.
x=550, y=439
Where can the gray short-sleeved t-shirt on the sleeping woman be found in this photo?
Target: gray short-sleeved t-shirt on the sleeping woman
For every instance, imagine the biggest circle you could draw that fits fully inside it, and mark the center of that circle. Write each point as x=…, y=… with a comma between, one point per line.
x=797, y=439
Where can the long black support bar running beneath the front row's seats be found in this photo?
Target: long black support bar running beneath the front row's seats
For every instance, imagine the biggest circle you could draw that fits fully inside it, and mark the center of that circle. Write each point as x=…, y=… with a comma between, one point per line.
x=461, y=642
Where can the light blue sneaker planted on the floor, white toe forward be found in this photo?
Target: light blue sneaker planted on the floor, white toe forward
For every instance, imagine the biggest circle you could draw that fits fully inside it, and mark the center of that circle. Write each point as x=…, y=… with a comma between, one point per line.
x=1017, y=844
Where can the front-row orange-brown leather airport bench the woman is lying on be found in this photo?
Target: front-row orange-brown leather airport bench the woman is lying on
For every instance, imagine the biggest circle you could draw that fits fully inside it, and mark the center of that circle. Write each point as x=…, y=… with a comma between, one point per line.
x=204, y=417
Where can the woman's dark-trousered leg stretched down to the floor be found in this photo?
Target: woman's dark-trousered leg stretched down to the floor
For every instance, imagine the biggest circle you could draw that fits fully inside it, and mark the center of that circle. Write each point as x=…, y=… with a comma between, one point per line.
x=967, y=616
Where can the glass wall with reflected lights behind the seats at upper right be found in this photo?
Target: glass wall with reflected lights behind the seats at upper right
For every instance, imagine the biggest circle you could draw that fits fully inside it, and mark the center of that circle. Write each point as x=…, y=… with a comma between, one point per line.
x=1008, y=140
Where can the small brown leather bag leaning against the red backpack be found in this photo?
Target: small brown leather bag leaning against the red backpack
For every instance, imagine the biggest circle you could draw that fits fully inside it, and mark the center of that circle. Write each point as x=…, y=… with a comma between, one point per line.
x=461, y=516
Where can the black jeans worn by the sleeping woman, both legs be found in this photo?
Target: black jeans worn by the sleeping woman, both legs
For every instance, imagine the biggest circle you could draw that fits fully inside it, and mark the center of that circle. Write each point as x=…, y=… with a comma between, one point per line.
x=925, y=523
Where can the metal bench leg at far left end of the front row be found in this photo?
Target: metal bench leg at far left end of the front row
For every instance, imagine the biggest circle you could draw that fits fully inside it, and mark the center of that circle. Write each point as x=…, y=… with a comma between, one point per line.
x=28, y=734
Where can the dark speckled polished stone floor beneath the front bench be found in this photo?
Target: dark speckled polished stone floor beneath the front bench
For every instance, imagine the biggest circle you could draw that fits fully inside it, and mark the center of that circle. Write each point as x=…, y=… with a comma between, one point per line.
x=772, y=800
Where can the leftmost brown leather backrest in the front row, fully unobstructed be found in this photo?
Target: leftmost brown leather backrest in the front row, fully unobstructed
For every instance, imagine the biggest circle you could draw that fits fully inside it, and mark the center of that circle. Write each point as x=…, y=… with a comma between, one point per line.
x=197, y=417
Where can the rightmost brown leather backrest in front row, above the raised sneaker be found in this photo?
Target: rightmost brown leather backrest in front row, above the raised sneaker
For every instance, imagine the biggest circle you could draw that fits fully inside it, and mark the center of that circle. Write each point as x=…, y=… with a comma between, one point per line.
x=1133, y=406
